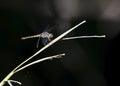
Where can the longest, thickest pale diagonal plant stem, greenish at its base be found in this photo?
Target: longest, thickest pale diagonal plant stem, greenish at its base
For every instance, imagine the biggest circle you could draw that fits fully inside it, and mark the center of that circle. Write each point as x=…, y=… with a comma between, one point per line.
x=39, y=51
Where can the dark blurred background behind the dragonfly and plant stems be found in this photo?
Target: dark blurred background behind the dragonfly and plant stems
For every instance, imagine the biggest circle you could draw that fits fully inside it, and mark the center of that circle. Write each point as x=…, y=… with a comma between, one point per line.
x=88, y=62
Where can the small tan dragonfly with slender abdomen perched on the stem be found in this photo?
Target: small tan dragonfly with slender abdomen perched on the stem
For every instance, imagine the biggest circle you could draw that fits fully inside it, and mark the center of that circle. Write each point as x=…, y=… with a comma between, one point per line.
x=45, y=37
